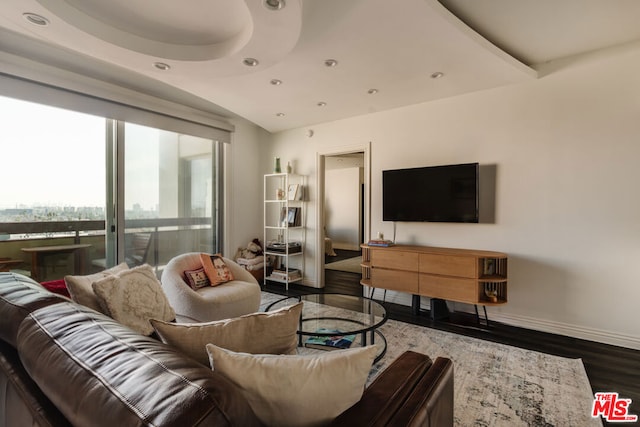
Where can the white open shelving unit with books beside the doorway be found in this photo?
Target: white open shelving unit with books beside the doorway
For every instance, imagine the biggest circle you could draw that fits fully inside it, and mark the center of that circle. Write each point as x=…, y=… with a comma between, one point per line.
x=284, y=227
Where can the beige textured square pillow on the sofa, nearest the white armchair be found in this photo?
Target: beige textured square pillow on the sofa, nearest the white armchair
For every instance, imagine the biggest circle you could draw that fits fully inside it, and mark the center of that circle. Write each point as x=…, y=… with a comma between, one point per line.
x=132, y=297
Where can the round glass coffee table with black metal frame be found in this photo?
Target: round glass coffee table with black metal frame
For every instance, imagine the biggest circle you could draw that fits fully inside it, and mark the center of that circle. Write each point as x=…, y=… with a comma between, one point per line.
x=334, y=321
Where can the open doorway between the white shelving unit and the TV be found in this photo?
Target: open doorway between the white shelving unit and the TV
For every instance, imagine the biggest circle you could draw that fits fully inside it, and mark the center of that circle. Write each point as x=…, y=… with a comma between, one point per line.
x=343, y=212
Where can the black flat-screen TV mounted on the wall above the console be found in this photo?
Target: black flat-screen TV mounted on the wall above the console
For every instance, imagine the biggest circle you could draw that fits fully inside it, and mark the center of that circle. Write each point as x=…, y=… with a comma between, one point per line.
x=434, y=194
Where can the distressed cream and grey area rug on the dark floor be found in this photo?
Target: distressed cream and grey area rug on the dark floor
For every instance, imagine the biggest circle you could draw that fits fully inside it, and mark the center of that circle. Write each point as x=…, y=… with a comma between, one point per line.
x=495, y=384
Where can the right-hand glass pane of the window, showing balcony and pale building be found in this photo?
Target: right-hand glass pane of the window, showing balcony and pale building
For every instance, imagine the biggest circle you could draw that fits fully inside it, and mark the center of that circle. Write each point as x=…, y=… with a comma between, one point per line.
x=169, y=193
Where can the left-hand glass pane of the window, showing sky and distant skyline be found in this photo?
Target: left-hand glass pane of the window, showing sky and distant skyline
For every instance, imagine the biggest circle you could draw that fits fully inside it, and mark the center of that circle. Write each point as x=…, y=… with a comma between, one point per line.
x=52, y=180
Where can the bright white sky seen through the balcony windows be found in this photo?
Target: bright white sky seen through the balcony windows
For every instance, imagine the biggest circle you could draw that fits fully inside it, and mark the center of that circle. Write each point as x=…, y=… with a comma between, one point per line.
x=55, y=157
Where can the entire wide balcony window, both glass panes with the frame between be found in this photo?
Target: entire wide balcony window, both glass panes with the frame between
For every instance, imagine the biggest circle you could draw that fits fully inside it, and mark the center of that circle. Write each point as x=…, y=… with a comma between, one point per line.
x=56, y=209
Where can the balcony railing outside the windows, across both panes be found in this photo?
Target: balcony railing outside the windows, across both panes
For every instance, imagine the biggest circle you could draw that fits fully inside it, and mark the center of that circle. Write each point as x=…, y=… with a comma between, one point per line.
x=169, y=237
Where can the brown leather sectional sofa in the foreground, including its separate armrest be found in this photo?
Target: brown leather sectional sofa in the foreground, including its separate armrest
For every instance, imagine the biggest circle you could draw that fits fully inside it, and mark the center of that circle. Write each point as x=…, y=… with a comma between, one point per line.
x=63, y=364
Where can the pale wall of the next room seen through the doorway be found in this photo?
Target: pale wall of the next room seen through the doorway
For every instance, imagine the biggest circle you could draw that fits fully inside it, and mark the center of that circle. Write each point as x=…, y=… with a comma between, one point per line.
x=342, y=207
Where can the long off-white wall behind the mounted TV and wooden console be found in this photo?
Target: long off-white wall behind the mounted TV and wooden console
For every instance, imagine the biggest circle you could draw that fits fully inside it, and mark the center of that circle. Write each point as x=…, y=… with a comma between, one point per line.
x=566, y=148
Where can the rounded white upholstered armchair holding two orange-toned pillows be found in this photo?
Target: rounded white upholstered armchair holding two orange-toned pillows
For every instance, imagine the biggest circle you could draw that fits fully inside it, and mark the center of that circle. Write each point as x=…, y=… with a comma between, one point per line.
x=231, y=299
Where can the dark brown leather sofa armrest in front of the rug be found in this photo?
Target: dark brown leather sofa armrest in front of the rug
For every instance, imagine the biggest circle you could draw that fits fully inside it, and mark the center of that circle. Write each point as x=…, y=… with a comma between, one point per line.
x=412, y=391
